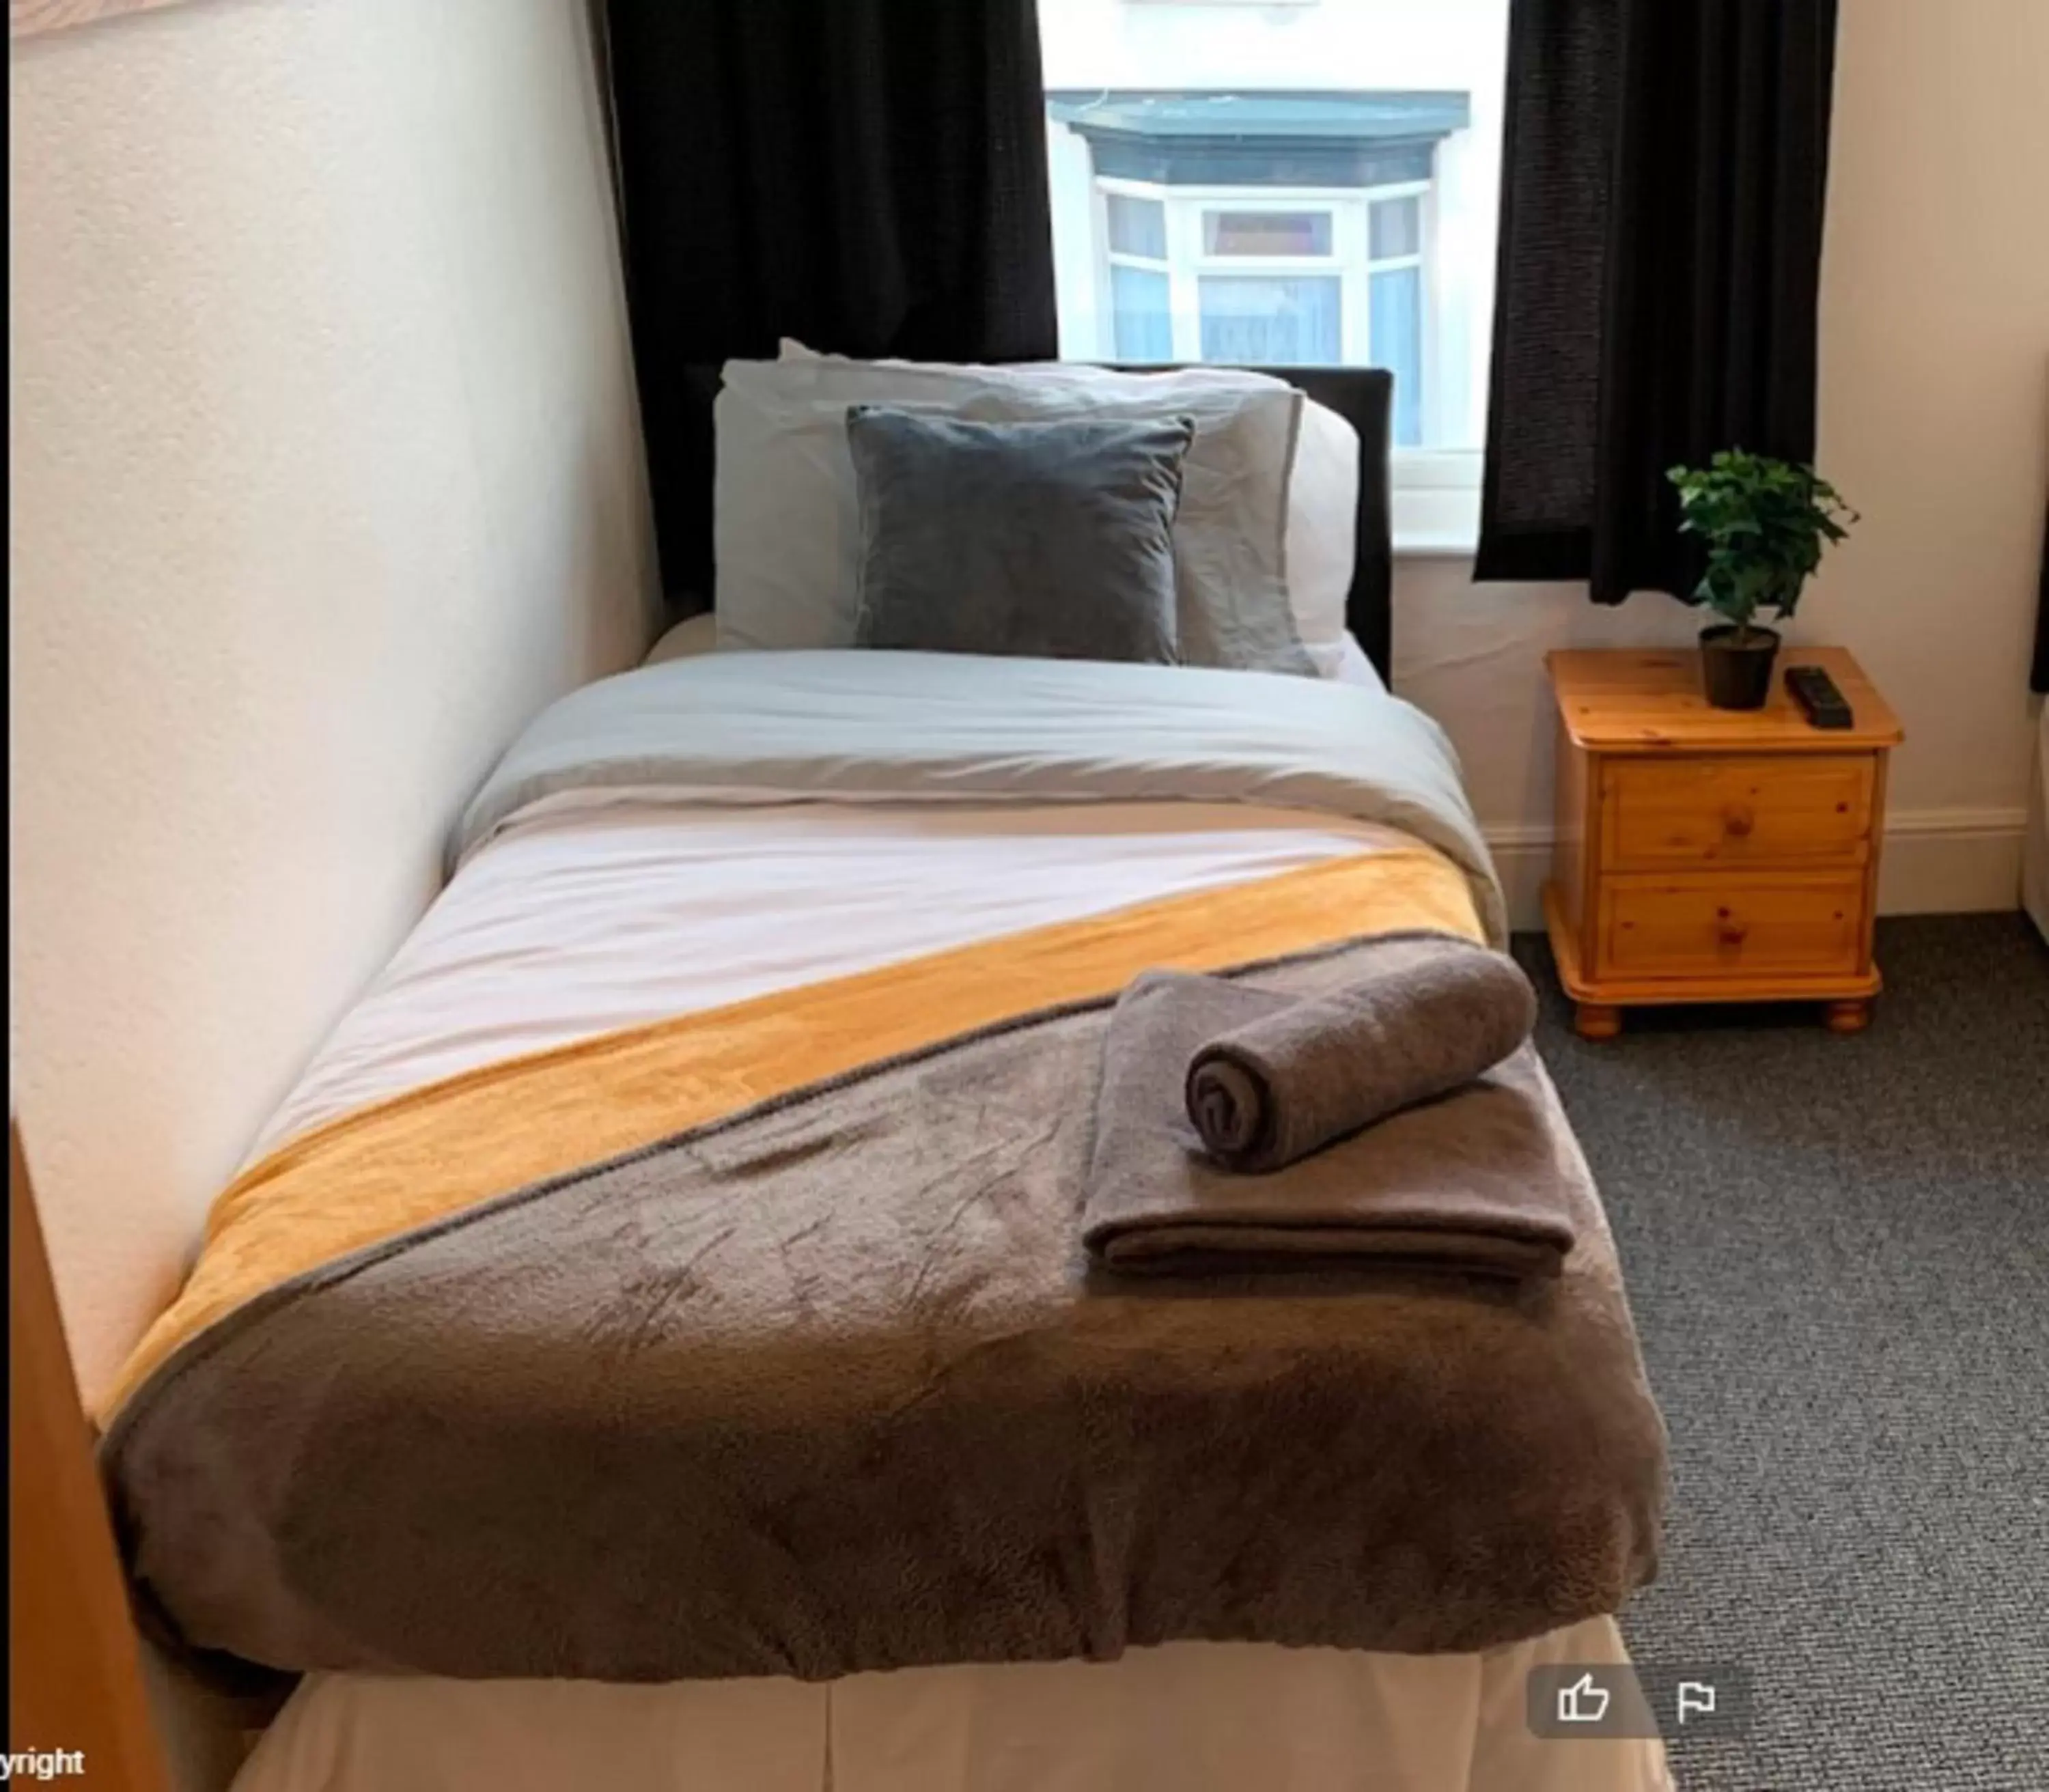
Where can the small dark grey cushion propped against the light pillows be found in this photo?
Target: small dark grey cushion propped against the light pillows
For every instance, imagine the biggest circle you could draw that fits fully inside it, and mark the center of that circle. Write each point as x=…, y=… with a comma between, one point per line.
x=1046, y=540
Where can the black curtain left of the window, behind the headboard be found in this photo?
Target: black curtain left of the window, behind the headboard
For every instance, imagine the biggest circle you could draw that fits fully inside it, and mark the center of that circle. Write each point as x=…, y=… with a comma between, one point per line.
x=862, y=175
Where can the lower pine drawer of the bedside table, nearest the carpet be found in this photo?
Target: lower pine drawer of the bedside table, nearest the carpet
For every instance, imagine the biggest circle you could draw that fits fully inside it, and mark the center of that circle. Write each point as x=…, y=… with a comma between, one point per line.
x=1732, y=927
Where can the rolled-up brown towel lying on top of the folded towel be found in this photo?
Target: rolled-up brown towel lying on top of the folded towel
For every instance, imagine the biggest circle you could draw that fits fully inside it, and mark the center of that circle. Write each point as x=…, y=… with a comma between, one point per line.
x=1290, y=1080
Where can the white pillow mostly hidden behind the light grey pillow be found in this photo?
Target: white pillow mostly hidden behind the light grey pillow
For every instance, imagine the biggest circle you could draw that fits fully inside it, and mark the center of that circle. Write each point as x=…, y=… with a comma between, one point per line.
x=1323, y=521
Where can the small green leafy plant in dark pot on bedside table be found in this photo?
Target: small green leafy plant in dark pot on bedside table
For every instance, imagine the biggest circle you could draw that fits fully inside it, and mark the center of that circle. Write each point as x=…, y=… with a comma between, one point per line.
x=1765, y=525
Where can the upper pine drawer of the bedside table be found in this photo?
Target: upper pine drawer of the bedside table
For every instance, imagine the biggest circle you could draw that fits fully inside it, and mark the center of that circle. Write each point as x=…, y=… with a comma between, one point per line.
x=1737, y=812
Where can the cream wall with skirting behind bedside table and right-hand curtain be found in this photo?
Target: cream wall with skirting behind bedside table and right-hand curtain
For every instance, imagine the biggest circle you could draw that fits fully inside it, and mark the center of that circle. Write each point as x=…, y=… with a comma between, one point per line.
x=1935, y=423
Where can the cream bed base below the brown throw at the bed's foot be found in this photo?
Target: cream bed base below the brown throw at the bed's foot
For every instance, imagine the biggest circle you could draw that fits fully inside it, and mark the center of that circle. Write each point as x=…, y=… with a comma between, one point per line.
x=1181, y=1719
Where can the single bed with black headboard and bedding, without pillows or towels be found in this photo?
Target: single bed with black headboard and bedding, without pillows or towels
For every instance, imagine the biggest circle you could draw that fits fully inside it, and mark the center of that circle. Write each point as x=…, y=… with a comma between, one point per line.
x=544, y=1394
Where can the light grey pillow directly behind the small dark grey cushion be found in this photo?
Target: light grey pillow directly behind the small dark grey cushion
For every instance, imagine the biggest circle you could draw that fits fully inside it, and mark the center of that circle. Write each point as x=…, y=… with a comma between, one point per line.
x=786, y=527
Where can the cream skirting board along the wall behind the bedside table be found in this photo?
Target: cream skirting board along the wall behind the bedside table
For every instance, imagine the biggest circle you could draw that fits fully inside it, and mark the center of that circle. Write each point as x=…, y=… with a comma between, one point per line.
x=1937, y=863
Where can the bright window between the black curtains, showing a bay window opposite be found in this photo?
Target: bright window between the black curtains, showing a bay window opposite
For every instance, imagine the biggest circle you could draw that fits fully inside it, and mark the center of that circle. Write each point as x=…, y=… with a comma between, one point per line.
x=1308, y=183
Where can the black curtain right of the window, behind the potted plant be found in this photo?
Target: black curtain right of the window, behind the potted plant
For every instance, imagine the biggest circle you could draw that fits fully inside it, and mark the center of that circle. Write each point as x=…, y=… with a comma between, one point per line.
x=1661, y=249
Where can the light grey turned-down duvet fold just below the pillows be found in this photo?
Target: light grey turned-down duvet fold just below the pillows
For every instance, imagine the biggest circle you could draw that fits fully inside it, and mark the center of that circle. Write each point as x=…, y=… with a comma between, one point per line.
x=921, y=730
